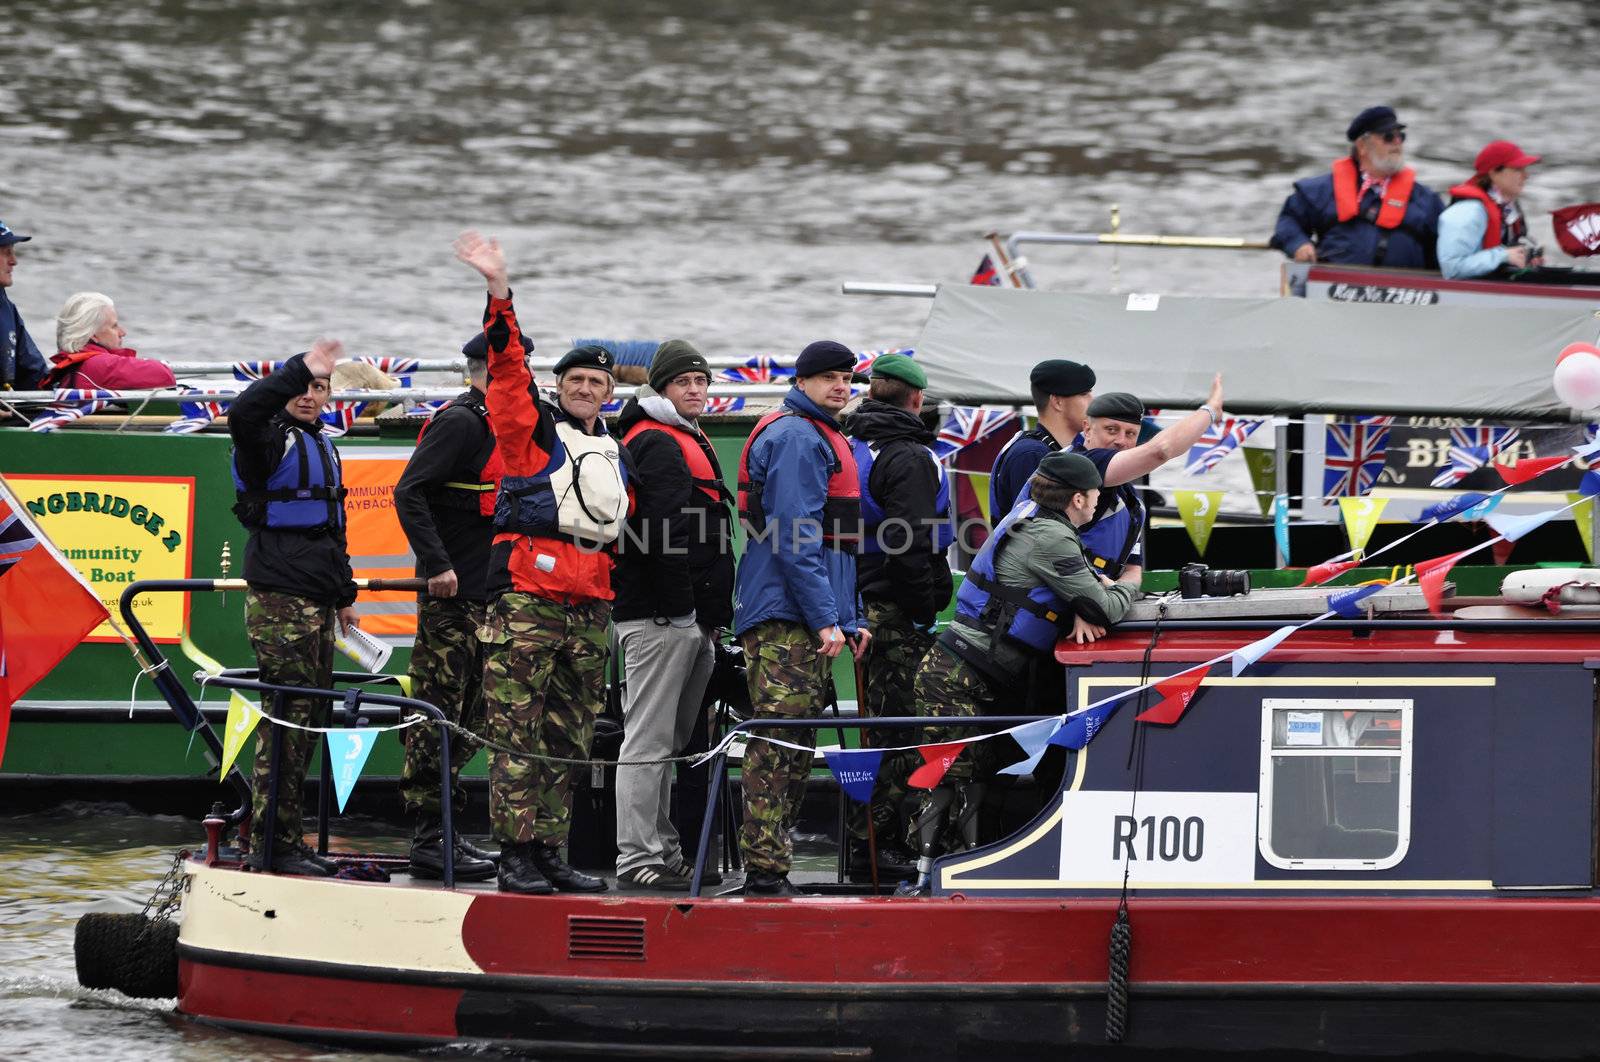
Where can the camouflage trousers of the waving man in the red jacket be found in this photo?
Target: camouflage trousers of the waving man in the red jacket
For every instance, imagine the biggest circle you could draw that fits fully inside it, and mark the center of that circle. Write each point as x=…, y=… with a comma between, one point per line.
x=543, y=689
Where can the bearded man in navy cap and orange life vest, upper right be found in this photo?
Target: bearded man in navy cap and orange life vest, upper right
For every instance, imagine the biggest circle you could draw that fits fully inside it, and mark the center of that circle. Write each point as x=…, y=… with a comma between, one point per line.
x=1369, y=209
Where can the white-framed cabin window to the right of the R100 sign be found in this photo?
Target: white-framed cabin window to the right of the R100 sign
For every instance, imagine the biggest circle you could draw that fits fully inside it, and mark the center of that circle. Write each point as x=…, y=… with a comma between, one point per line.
x=1335, y=785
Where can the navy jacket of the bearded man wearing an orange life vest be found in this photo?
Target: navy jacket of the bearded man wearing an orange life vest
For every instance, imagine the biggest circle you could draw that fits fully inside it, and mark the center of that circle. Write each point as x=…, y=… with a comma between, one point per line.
x=1310, y=212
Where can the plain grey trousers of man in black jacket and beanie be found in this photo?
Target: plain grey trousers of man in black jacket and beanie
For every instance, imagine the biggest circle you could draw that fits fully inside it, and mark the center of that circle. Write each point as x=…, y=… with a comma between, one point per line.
x=668, y=669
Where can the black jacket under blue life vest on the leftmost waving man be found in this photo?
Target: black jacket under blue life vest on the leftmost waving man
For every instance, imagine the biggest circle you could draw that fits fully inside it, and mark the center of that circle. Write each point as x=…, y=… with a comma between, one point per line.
x=306, y=564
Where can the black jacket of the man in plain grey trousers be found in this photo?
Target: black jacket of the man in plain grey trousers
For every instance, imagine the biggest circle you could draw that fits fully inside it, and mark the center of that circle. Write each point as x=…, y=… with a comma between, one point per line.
x=678, y=551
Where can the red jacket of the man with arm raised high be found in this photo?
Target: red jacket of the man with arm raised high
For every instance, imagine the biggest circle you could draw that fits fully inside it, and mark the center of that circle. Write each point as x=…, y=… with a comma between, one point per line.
x=526, y=439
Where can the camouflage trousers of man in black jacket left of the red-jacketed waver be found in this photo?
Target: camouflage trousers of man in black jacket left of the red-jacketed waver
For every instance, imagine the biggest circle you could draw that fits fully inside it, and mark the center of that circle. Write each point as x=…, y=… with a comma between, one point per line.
x=447, y=671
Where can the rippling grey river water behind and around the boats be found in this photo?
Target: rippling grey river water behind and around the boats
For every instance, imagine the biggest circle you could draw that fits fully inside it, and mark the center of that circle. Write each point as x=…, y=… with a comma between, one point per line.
x=246, y=175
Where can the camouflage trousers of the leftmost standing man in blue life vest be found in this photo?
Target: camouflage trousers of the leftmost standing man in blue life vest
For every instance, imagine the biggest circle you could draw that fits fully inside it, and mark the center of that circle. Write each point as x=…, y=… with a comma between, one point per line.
x=294, y=644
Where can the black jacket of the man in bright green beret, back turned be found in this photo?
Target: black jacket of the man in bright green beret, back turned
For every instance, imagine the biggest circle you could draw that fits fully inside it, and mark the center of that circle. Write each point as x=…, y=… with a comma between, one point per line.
x=905, y=484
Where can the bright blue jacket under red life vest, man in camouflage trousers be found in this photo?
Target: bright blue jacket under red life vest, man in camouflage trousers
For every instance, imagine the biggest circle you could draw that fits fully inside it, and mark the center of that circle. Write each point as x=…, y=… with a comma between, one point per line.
x=783, y=575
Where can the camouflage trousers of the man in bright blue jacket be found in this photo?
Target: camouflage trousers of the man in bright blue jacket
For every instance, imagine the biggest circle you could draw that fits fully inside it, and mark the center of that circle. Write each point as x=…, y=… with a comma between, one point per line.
x=788, y=679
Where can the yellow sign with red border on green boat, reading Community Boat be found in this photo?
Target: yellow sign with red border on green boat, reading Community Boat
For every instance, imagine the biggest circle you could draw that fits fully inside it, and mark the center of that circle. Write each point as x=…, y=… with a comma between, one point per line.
x=118, y=530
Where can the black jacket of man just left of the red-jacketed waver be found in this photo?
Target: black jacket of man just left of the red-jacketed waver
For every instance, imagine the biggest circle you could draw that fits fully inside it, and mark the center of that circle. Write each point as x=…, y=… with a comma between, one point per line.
x=446, y=527
